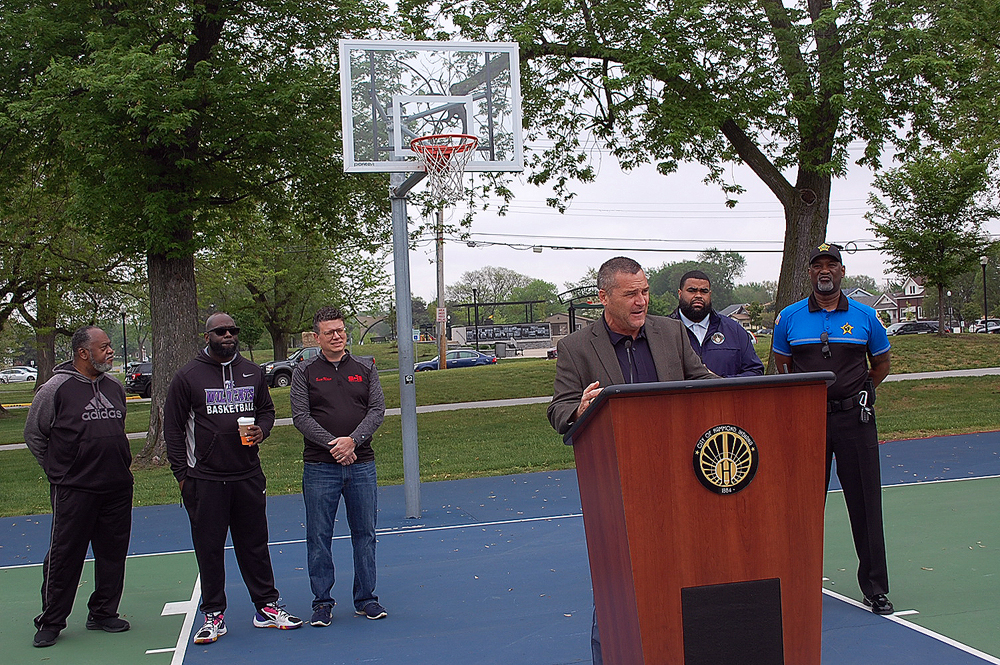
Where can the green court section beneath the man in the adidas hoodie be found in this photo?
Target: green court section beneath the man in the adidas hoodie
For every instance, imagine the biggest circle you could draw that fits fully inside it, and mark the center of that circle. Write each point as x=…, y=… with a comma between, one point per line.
x=151, y=582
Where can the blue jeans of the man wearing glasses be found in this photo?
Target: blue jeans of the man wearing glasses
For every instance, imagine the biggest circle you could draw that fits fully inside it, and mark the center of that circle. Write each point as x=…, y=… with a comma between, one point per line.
x=322, y=486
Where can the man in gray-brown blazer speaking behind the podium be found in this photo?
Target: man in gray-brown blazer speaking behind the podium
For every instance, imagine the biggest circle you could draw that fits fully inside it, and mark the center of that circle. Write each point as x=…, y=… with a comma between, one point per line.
x=624, y=346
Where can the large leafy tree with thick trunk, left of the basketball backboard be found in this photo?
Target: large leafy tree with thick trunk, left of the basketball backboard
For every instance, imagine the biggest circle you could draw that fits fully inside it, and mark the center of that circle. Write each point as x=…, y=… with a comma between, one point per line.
x=169, y=115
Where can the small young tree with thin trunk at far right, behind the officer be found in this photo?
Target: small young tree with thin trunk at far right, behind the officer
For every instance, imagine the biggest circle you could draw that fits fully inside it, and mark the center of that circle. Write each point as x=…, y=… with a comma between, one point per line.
x=932, y=216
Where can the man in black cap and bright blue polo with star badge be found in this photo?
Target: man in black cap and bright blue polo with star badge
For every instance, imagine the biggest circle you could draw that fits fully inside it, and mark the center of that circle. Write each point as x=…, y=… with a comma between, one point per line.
x=829, y=331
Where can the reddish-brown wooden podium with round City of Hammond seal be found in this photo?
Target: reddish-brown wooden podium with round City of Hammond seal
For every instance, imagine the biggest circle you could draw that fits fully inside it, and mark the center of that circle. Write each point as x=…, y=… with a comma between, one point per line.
x=691, y=561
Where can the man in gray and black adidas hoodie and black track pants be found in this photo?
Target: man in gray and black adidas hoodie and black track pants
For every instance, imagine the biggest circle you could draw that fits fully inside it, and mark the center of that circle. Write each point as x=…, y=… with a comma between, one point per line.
x=76, y=430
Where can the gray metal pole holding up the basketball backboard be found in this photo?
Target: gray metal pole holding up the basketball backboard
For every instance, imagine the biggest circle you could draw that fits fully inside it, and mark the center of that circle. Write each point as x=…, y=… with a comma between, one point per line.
x=399, y=185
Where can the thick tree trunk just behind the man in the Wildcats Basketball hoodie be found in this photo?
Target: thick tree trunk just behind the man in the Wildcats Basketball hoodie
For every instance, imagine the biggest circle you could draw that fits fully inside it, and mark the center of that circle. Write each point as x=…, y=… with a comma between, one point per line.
x=175, y=340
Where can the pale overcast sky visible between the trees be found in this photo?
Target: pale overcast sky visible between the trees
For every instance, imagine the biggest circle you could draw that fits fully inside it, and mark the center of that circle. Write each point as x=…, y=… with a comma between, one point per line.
x=645, y=215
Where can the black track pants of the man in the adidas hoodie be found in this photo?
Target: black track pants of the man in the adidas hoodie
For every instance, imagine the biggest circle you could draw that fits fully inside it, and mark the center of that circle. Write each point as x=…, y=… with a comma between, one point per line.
x=104, y=522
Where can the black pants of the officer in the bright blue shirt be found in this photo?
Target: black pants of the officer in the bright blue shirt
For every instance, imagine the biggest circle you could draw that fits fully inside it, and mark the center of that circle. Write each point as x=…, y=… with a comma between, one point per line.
x=855, y=445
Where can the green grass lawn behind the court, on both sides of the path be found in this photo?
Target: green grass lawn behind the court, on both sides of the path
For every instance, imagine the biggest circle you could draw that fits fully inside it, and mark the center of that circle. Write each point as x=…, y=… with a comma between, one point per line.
x=469, y=443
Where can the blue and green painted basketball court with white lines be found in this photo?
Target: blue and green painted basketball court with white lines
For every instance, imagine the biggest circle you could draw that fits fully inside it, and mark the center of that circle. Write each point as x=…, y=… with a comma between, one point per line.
x=496, y=571
